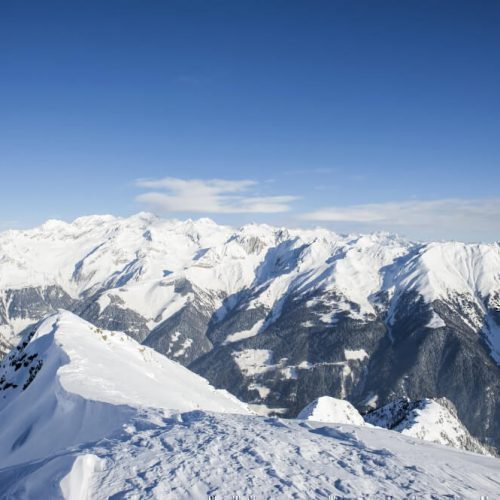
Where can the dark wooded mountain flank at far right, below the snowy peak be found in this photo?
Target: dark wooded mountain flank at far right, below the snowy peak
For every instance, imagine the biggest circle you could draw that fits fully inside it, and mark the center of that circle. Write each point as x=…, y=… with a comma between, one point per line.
x=452, y=361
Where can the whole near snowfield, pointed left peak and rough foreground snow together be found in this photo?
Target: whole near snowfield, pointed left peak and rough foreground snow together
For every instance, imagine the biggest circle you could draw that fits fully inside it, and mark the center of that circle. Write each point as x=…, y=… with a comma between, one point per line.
x=102, y=419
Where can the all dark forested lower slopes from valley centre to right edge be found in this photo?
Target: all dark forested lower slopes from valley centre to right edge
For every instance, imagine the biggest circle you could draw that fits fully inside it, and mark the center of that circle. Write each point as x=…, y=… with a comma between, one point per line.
x=406, y=358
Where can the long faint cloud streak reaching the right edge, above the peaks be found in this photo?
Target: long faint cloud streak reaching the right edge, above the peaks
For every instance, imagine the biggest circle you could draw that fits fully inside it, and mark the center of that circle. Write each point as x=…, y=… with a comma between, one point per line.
x=450, y=217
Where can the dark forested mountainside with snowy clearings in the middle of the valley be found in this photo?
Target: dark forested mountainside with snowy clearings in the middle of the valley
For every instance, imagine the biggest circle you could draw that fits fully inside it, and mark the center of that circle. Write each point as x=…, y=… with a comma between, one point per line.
x=307, y=356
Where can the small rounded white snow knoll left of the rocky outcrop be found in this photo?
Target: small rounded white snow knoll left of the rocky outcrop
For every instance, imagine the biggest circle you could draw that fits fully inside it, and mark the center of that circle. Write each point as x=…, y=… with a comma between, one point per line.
x=331, y=410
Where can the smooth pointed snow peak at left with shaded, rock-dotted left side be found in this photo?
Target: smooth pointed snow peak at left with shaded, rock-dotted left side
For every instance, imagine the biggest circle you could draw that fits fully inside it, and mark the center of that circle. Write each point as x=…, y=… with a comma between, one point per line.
x=72, y=383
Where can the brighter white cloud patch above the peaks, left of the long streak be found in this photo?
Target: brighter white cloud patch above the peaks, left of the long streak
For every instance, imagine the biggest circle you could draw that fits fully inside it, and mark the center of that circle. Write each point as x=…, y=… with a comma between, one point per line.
x=211, y=196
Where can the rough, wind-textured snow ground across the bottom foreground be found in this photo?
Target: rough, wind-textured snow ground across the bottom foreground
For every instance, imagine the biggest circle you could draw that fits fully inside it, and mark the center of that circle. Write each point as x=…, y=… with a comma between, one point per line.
x=196, y=454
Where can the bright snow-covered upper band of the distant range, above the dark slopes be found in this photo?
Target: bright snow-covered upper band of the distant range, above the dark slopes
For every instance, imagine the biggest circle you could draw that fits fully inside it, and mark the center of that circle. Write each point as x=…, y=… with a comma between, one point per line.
x=99, y=252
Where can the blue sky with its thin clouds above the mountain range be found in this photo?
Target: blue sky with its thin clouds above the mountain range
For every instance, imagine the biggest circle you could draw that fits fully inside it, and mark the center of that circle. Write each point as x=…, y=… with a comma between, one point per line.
x=354, y=115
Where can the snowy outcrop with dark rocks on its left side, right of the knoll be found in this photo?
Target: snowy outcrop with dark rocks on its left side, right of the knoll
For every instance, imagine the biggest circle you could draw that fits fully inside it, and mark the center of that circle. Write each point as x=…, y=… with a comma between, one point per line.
x=427, y=419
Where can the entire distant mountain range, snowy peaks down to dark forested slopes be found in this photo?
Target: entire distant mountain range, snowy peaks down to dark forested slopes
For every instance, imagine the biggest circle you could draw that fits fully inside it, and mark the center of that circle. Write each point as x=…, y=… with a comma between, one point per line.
x=276, y=316
